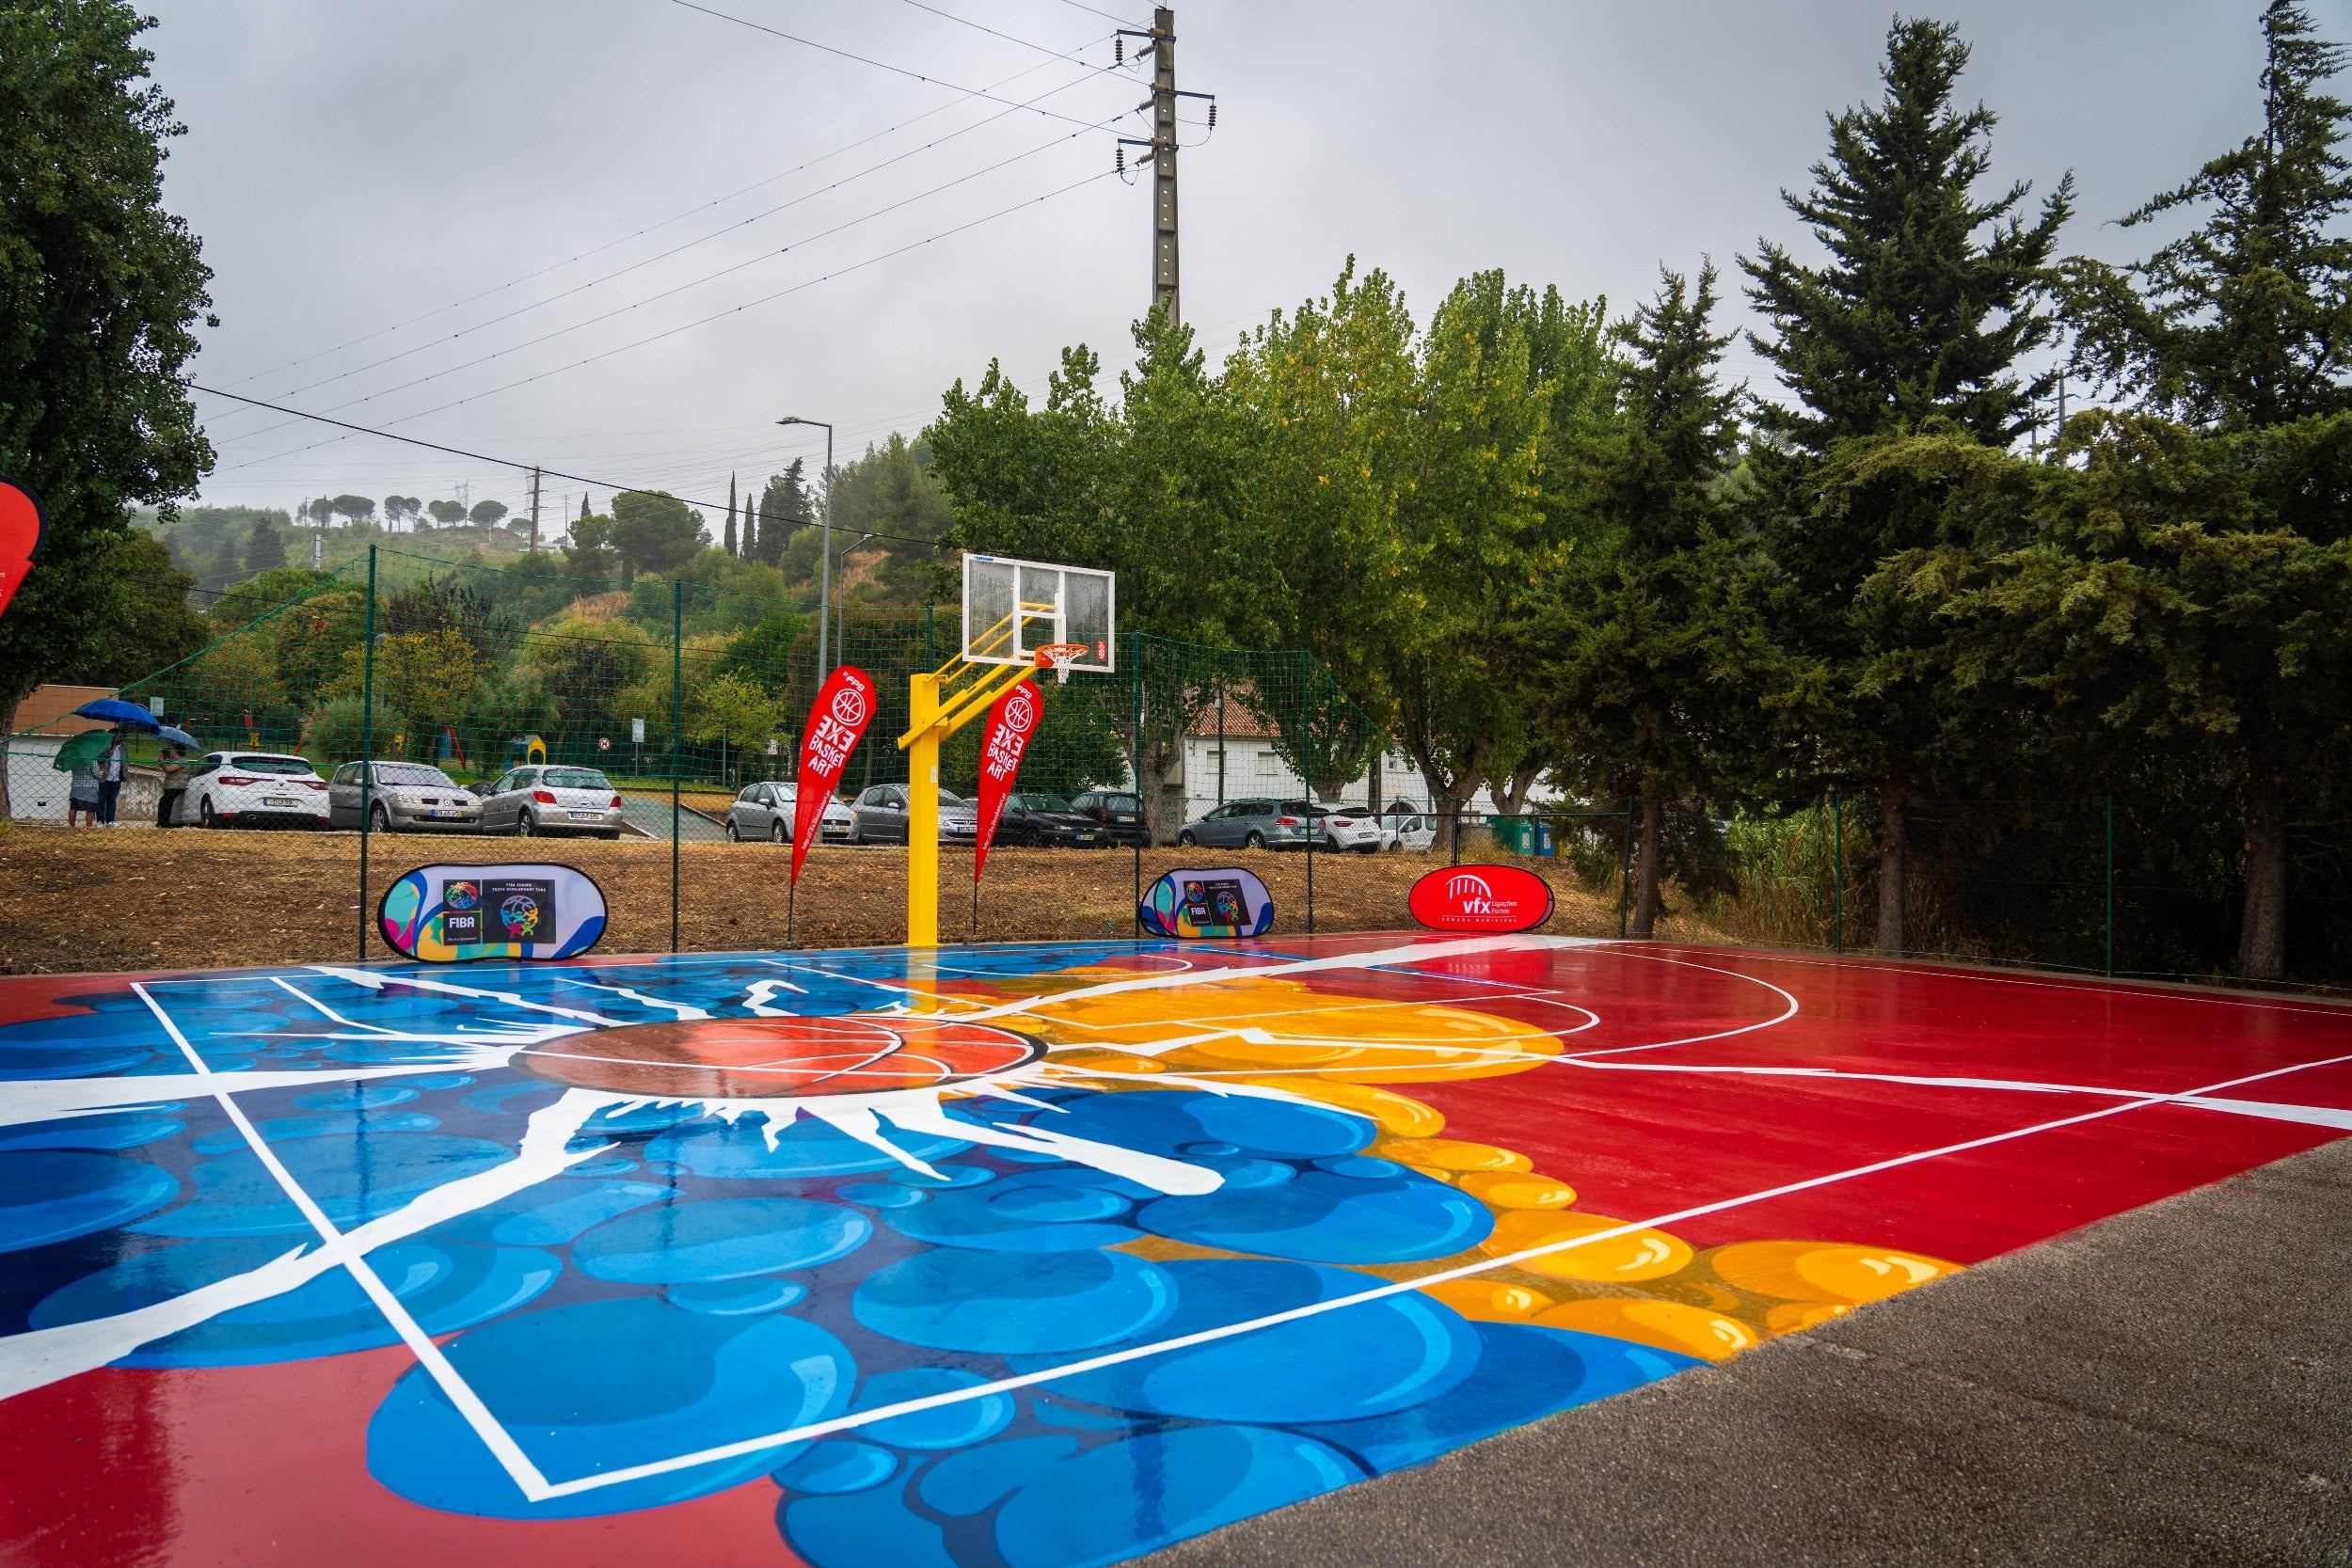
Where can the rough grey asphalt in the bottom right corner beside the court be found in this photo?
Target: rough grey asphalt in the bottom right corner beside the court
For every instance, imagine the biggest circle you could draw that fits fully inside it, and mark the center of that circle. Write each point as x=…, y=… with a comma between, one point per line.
x=2170, y=1386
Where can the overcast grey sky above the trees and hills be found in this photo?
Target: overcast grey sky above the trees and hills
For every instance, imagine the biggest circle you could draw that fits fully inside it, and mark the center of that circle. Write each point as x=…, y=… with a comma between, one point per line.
x=359, y=170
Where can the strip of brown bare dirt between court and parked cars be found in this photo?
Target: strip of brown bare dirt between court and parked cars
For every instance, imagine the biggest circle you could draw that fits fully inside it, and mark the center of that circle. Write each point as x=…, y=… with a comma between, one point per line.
x=112, y=902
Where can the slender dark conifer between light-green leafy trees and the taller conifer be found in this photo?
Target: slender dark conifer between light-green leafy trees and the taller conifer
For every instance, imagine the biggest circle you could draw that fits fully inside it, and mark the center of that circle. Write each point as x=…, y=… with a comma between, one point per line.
x=1648, y=634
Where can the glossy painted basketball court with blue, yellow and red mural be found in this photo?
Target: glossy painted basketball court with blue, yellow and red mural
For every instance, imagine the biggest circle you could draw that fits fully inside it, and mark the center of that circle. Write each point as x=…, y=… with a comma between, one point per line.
x=1022, y=1257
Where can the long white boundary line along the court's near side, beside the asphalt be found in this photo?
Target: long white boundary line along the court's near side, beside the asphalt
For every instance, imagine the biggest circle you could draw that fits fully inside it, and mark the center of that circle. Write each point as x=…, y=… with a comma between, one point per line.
x=1469, y=1271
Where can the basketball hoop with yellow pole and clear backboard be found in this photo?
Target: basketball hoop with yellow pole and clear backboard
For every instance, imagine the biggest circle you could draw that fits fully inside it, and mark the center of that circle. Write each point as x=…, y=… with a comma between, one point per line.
x=1020, y=617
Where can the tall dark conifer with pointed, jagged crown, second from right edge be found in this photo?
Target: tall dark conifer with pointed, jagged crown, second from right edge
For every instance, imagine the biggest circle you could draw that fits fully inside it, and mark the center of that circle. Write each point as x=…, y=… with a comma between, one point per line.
x=1916, y=321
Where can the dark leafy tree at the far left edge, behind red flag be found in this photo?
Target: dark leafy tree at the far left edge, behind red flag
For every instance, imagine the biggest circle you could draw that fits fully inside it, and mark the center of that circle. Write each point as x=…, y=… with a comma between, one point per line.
x=100, y=295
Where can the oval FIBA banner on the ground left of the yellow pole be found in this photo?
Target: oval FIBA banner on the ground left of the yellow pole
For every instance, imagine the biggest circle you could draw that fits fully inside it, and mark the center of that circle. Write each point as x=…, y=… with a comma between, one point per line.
x=465, y=913
